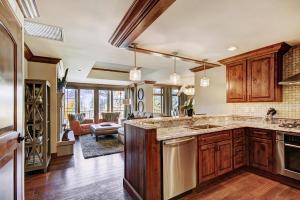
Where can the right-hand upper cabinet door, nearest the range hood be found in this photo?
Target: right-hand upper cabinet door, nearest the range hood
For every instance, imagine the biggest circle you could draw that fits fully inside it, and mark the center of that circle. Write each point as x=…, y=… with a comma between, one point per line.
x=261, y=78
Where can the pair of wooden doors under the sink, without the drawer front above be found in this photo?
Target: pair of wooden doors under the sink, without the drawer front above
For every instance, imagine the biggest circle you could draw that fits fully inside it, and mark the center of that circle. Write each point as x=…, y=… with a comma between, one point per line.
x=215, y=159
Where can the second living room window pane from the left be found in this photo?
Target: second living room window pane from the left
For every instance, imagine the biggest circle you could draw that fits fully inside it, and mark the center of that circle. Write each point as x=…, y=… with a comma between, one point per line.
x=87, y=103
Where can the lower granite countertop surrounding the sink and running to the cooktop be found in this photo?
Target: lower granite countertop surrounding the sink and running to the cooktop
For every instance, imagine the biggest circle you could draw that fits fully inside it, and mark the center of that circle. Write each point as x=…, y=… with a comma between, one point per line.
x=177, y=132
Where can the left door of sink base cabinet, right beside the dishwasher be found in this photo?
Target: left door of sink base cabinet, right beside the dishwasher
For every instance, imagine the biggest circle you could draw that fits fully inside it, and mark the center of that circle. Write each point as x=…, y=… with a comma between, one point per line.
x=207, y=162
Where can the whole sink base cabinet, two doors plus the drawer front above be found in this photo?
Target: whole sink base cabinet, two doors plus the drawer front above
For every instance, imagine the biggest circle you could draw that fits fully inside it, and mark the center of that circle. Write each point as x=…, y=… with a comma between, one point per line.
x=215, y=155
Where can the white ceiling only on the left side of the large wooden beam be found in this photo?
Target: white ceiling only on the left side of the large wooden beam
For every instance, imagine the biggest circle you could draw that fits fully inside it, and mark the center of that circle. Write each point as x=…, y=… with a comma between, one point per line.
x=87, y=27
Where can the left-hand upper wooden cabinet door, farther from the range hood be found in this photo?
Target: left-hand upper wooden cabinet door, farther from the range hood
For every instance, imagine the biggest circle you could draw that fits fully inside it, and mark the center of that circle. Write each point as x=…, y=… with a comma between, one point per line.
x=236, y=75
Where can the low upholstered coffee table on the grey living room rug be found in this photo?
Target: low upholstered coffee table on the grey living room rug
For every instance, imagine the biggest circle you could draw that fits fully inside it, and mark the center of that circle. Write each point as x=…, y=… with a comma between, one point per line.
x=106, y=128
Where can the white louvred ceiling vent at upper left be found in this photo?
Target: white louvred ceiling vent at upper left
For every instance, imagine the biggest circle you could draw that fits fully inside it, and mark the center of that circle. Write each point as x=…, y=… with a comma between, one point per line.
x=44, y=31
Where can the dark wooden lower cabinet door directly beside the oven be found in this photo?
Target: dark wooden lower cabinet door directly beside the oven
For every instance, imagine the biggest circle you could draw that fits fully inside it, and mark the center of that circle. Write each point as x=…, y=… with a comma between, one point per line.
x=261, y=153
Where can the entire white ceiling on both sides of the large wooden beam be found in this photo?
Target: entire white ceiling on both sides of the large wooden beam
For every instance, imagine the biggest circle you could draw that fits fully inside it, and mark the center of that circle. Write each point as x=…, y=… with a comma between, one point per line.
x=194, y=28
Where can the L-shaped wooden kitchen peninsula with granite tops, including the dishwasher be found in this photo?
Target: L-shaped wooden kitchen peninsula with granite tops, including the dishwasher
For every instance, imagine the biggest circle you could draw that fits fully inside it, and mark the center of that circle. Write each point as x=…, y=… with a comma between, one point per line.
x=211, y=146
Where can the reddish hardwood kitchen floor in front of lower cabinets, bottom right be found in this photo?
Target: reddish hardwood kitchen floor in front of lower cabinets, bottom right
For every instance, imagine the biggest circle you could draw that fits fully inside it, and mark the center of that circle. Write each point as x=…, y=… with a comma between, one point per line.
x=247, y=186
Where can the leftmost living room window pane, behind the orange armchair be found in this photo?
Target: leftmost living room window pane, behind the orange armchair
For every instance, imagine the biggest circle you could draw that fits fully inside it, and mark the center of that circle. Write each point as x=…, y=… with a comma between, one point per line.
x=70, y=102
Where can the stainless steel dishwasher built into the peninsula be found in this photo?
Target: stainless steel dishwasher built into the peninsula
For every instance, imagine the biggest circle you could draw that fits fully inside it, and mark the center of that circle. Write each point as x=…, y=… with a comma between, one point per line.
x=179, y=166
